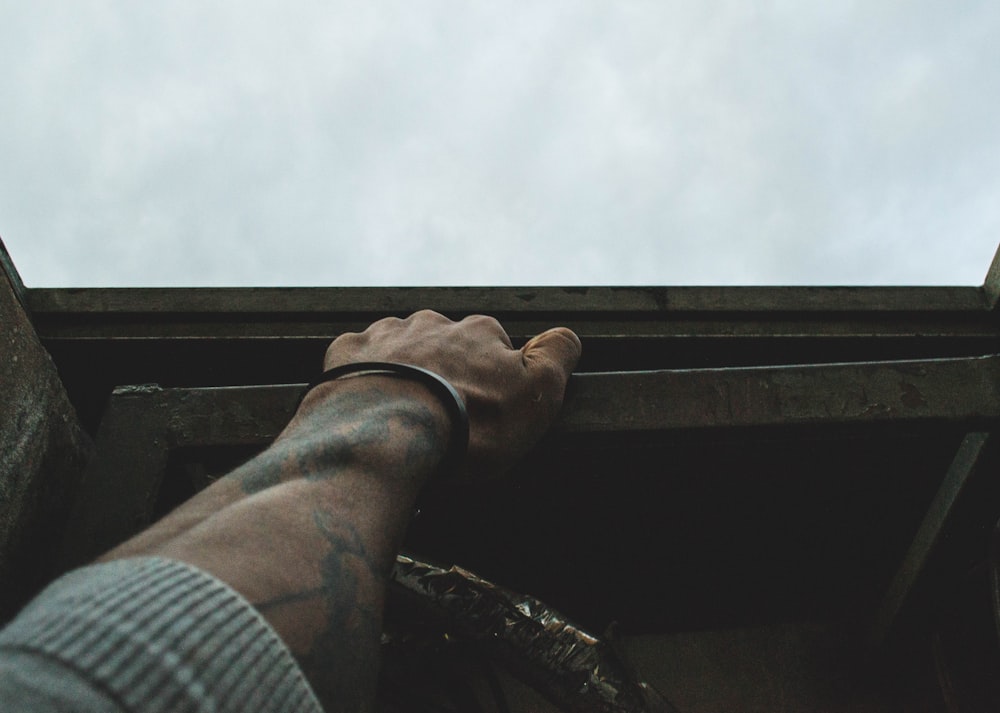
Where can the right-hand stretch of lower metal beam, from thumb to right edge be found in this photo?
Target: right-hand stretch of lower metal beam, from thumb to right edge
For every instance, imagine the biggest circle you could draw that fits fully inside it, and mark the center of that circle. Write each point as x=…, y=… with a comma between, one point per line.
x=937, y=389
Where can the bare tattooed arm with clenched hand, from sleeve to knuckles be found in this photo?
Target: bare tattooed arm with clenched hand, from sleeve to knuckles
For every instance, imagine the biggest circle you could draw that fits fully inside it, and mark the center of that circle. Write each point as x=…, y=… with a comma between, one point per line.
x=308, y=530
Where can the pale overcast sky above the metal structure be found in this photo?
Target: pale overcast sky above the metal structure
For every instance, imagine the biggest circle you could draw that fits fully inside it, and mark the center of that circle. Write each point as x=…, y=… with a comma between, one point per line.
x=387, y=142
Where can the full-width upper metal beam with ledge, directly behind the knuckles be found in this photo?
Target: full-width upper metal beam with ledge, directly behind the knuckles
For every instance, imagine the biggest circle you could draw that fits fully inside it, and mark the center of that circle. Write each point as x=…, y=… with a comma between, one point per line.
x=596, y=312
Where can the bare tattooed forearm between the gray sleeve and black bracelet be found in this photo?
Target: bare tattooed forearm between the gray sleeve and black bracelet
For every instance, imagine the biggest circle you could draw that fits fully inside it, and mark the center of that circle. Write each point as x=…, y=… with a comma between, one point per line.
x=308, y=530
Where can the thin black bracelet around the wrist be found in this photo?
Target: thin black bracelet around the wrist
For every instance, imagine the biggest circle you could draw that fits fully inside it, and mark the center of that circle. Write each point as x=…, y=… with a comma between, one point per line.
x=458, y=441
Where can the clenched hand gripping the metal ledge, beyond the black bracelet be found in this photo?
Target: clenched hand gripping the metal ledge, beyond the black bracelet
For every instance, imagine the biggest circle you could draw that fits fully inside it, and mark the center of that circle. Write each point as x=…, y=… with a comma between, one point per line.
x=512, y=395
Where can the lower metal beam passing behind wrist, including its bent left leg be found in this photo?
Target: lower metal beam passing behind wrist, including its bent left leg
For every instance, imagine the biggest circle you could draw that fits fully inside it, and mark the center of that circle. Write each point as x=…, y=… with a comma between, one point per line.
x=142, y=424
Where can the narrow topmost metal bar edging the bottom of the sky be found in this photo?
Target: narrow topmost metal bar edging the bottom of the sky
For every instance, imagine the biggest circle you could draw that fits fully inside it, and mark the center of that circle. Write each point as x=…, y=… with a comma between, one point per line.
x=360, y=301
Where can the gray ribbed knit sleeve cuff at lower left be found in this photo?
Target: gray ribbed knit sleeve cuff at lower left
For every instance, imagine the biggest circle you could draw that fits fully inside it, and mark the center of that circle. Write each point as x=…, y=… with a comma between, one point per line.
x=146, y=634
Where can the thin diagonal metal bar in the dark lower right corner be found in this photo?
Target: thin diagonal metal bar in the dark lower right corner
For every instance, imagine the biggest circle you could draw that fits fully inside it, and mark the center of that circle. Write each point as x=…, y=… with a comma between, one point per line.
x=962, y=470
